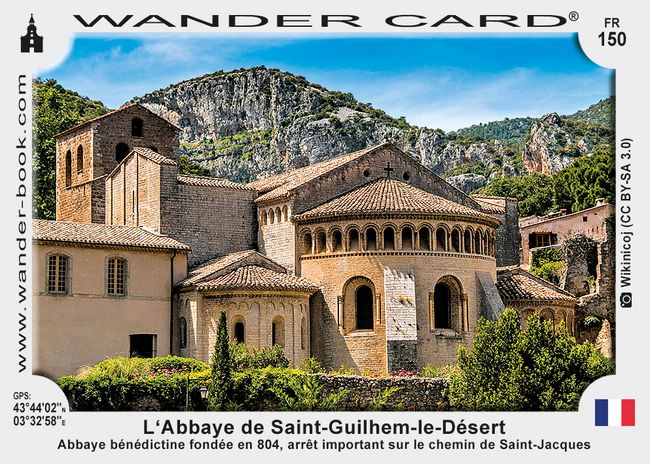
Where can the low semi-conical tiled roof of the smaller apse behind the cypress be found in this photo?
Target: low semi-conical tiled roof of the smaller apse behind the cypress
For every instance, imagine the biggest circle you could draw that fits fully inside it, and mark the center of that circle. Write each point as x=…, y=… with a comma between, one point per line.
x=258, y=278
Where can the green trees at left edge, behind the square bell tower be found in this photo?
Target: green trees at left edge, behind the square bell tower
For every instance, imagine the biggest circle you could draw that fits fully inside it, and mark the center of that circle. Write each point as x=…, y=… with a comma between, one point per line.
x=55, y=110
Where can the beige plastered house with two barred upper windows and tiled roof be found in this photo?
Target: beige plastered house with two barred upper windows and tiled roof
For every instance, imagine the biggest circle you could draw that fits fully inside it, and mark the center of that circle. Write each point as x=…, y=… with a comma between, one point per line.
x=101, y=291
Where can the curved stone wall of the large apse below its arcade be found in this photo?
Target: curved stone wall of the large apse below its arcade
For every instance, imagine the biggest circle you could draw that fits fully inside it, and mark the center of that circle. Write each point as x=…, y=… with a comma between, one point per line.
x=338, y=343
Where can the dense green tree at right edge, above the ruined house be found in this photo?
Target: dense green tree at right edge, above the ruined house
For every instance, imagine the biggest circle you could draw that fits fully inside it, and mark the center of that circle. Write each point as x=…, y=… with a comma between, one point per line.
x=588, y=178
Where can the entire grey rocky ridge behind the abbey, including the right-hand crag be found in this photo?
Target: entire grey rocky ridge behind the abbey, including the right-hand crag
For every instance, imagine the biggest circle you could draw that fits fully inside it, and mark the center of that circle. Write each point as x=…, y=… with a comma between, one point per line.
x=251, y=123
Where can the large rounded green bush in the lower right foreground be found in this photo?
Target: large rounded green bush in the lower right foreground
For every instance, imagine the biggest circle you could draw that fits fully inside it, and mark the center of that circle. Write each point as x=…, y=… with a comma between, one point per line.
x=535, y=369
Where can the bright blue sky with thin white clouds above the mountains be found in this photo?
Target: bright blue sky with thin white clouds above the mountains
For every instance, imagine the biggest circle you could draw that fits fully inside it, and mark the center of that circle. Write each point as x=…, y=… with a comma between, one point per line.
x=445, y=81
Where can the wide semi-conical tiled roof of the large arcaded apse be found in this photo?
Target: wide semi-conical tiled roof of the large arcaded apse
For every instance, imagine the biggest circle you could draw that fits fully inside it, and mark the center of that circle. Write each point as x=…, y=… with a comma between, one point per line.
x=385, y=194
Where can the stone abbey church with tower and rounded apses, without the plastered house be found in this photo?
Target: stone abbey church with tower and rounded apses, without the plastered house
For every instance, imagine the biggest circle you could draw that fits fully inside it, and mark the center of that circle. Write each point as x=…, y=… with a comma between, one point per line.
x=367, y=260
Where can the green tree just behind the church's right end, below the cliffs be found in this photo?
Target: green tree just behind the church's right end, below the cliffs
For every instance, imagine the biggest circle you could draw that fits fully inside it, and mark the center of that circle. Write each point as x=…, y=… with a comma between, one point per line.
x=534, y=192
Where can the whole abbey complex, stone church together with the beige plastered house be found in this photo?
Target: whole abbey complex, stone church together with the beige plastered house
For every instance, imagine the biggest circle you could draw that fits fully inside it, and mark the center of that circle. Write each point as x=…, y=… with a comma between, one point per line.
x=366, y=260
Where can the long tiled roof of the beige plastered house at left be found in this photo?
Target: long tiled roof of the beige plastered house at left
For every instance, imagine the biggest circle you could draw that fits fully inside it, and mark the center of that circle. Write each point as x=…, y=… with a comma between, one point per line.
x=102, y=235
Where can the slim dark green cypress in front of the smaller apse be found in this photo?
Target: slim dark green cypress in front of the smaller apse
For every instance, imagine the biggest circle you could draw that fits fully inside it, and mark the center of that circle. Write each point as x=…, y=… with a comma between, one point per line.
x=221, y=385
